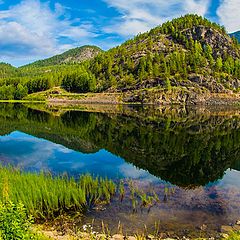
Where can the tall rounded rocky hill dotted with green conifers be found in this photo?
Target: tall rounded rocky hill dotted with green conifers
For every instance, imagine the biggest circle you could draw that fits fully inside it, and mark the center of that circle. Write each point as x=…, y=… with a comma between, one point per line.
x=188, y=54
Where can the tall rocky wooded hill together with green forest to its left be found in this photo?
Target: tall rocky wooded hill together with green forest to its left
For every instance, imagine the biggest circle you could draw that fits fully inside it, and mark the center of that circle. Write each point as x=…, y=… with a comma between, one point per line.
x=186, y=56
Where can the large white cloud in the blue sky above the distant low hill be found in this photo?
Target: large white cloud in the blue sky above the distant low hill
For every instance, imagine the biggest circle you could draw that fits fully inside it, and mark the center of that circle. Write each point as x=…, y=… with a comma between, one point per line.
x=31, y=28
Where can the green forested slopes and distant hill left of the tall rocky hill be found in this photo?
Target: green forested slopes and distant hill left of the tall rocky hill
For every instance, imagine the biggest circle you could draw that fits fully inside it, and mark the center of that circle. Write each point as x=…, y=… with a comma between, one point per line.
x=43, y=75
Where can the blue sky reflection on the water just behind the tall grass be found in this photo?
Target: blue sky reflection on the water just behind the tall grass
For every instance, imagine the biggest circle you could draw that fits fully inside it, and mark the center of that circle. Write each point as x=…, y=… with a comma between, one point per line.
x=35, y=154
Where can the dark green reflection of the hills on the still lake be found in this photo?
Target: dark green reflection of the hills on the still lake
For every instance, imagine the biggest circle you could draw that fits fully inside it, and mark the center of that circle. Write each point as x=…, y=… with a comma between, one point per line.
x=184, y=149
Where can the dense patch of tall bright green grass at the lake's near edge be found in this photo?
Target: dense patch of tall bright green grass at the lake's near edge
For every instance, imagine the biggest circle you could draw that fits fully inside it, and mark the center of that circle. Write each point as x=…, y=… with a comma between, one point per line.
x=46, y=197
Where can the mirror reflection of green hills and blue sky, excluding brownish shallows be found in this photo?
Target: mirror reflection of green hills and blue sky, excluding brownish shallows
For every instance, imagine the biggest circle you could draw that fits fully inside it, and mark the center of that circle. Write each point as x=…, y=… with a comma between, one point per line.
x=186, y=148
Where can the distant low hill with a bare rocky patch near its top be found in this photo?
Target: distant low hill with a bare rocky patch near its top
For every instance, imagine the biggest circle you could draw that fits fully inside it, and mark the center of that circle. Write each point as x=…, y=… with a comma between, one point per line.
x=75, y=55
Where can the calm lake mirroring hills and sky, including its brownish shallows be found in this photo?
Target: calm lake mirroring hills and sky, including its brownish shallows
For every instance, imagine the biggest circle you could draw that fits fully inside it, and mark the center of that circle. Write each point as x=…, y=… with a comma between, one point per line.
x=189, y=157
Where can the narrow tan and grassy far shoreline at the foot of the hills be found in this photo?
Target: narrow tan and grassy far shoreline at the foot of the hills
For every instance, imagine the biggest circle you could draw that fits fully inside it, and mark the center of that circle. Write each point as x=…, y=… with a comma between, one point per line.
x=121, y=99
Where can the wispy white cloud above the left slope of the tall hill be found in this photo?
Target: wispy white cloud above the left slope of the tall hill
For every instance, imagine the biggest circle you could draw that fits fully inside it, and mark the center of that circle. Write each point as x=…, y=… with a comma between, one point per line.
x=141, y=15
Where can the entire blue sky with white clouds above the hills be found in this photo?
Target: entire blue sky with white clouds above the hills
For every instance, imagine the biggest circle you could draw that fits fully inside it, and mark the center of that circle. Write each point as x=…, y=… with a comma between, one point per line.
x=37, y=29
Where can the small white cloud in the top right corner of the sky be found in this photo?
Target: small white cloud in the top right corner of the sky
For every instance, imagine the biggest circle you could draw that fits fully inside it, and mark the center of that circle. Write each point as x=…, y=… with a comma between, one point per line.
x=228, y=13
